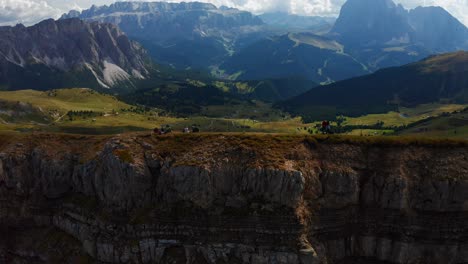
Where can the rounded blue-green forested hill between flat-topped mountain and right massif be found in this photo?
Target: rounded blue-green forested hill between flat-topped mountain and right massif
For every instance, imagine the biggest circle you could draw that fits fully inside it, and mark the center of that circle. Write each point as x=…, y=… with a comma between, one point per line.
x=306, y=55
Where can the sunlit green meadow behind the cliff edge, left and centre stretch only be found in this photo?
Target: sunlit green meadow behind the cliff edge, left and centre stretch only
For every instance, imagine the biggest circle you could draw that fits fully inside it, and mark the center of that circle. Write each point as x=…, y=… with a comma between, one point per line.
x=118, y=117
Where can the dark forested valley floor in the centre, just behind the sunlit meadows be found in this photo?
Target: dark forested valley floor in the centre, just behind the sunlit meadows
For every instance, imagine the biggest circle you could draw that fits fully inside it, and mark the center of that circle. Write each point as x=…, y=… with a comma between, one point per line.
x=190, y=96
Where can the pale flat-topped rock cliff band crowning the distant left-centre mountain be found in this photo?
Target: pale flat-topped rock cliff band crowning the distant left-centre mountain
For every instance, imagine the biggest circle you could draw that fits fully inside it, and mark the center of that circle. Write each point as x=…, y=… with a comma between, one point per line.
x=161, y=21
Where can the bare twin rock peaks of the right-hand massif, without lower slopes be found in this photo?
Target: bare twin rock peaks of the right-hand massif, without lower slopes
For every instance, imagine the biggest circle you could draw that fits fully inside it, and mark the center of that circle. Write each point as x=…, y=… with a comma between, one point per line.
x=382, y=22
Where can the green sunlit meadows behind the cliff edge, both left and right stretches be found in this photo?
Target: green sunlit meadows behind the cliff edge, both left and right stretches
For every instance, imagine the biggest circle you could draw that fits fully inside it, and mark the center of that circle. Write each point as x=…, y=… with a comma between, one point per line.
x=253, y=116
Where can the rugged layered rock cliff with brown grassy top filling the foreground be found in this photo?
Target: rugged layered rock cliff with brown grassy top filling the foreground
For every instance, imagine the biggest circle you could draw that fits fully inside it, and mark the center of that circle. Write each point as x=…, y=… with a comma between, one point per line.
x=231, y=199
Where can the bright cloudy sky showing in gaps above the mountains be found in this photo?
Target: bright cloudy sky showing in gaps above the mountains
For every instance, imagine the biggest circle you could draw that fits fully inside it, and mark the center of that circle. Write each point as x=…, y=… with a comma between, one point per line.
x=32, y=11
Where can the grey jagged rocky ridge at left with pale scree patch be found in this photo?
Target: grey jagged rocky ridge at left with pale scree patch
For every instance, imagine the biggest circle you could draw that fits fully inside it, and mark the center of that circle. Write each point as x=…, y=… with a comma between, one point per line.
x=66, y=53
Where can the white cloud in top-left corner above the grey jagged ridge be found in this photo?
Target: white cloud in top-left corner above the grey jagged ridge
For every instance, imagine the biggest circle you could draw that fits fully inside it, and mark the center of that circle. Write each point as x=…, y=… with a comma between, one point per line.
x=25, y=11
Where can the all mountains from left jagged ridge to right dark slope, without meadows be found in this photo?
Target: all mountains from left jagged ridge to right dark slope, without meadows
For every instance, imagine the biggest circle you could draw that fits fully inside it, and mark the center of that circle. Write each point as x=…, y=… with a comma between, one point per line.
x=250, y=58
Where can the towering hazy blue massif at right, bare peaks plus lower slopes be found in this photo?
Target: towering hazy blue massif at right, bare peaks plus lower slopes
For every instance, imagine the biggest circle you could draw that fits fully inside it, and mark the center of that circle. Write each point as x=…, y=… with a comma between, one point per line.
x=381, y=34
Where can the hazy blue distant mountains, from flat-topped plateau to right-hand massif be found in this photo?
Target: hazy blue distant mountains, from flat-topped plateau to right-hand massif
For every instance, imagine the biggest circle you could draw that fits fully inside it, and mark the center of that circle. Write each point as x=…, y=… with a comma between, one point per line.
x=371, y=34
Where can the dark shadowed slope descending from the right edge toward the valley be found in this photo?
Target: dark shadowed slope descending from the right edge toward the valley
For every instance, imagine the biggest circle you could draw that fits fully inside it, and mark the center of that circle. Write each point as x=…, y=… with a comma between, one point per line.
x=441, y=78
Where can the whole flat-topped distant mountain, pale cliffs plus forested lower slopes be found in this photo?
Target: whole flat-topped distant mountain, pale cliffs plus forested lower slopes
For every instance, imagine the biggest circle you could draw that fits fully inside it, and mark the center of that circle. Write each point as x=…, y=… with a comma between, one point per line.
x=180, y=34
